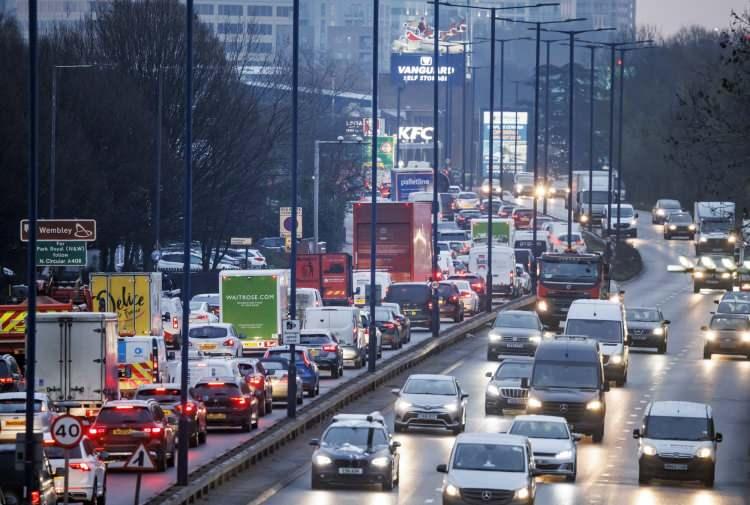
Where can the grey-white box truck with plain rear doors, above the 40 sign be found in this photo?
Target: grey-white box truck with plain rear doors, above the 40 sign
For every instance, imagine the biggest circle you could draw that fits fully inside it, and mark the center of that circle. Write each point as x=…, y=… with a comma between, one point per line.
x=76, y=359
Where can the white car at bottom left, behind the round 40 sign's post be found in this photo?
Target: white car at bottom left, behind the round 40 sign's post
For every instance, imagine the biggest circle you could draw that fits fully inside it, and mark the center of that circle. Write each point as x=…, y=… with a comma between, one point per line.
x=87, y=474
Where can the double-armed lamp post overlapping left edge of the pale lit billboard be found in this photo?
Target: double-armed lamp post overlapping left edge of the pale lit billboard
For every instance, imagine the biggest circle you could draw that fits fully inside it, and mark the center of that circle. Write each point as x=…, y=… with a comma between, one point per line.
x=493, y=21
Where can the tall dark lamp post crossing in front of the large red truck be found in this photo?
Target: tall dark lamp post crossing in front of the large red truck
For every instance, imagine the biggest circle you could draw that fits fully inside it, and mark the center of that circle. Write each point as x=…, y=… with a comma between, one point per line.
x=373, y=343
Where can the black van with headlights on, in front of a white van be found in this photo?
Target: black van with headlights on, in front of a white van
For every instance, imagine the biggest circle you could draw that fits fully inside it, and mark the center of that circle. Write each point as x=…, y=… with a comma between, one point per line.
x=567, y=380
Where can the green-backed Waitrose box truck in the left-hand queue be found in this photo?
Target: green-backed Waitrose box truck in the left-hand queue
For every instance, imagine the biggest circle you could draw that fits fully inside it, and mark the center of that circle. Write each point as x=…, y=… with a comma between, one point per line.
x=255, y=302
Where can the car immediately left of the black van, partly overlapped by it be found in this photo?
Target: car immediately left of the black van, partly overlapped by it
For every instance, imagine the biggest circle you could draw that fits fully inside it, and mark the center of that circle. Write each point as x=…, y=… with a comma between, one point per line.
x=504, y=391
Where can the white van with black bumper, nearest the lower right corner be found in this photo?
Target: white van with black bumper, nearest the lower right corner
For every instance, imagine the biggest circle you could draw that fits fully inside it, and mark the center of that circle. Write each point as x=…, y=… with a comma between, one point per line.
x=677, y=441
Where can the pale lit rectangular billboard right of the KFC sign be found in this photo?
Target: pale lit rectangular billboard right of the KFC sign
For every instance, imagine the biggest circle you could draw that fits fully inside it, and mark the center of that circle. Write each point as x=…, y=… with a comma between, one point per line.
x=512, y=127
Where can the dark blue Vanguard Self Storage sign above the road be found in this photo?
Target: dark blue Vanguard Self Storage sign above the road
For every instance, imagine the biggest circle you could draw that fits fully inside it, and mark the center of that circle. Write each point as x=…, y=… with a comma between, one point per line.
x=419, y=68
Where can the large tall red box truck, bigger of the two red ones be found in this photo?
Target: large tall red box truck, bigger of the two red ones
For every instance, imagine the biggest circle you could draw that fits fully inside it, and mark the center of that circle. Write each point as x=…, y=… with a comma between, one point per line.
x=403, y=238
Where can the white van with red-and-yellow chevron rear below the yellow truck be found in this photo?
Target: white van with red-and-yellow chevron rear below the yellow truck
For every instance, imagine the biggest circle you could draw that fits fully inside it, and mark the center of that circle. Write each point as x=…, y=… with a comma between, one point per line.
x=140, y=360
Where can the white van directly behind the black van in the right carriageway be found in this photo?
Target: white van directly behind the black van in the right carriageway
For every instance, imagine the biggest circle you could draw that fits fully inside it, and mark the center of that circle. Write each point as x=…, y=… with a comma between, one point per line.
x=604, y=321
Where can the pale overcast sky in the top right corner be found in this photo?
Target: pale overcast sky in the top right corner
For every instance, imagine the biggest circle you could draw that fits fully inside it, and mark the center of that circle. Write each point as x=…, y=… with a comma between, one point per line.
x=670, y=15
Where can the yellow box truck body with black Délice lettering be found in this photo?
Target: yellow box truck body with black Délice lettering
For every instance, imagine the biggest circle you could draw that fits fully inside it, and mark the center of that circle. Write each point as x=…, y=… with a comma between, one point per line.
x=134, y=297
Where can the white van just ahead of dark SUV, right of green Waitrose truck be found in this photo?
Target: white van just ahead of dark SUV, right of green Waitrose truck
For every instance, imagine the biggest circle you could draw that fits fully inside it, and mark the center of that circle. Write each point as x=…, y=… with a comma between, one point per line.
x=345, y=324
